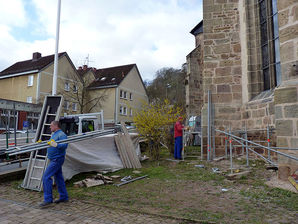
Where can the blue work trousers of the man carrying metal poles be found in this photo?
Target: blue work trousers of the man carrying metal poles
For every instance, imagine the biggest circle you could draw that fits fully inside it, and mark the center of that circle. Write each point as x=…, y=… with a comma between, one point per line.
x=54, y=169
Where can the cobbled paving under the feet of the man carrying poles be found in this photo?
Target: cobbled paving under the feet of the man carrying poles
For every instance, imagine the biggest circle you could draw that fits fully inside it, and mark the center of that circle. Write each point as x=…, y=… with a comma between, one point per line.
x=20, y=206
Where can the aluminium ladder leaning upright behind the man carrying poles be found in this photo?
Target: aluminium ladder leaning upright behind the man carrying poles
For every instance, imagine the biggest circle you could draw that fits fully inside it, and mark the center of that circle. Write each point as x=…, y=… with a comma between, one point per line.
x=38, y=159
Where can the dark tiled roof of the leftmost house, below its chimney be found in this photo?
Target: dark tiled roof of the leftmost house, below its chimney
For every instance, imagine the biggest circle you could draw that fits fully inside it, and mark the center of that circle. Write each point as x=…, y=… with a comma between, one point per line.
x=29, y=65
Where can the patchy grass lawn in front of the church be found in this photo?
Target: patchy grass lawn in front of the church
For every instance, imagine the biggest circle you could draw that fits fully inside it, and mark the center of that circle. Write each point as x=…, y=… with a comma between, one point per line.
x=185, y=191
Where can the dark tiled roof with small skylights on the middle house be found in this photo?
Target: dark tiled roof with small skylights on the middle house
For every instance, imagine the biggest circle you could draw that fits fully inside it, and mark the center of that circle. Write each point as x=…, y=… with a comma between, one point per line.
x=110, y=76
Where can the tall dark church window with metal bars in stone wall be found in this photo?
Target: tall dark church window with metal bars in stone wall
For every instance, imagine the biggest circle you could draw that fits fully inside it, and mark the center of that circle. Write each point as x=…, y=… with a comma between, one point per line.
x=269, y=43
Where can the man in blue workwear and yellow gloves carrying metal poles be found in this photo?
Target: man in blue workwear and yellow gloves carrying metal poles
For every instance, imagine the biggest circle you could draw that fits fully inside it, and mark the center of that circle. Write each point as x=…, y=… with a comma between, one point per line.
x=56, y=155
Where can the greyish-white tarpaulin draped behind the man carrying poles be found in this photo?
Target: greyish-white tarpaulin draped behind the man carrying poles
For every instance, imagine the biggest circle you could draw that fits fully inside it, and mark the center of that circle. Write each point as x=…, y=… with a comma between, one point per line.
x=96, y=154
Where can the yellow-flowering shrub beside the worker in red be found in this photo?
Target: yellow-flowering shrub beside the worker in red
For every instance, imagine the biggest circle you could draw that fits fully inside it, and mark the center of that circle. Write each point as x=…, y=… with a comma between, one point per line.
x=153, y=122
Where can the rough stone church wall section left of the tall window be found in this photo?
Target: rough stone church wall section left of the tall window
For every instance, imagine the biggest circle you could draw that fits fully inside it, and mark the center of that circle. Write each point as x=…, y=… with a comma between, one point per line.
x=222, y=65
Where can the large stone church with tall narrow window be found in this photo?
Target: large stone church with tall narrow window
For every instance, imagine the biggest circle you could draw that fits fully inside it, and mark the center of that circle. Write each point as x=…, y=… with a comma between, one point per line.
x=246, y=54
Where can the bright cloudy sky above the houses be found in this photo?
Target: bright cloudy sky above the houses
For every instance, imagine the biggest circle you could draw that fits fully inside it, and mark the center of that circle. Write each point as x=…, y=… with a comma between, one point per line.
x=151, y=33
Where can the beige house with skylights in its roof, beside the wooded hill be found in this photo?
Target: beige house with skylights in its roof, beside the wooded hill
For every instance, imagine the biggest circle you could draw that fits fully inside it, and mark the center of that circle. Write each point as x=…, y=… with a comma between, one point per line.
x=122, y=89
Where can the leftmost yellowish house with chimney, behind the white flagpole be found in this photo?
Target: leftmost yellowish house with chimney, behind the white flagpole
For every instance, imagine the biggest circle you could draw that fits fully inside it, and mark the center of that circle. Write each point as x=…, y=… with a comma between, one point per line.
x=29, y=81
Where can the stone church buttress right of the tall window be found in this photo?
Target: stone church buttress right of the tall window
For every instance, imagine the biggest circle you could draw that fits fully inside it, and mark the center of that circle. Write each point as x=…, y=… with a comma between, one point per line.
x=286, y=96
